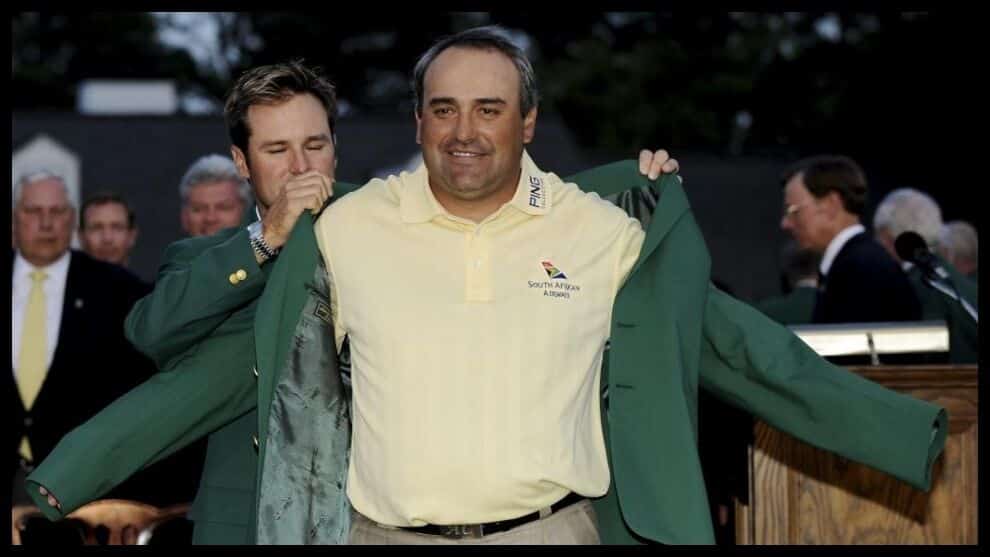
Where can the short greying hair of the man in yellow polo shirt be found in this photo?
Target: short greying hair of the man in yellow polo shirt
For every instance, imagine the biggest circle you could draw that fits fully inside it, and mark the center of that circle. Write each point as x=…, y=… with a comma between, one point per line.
x=491, y=37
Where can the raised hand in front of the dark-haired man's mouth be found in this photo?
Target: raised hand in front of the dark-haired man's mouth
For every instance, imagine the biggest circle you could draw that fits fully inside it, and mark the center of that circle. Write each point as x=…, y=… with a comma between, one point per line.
x=309, y=190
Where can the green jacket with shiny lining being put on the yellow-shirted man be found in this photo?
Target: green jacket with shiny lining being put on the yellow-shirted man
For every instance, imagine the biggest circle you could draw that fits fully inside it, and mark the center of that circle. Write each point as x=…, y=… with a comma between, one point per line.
x=672, y=332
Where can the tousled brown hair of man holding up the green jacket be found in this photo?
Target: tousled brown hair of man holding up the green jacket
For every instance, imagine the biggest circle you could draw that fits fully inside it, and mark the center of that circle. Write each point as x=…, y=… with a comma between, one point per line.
x=273, y=84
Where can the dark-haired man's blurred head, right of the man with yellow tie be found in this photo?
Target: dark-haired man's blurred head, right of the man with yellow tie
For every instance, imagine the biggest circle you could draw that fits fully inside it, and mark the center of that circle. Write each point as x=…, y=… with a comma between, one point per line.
x=107, y=228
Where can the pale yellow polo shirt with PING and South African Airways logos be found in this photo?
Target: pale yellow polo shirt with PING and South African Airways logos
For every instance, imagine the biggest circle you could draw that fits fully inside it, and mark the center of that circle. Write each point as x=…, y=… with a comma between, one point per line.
x=475, y=348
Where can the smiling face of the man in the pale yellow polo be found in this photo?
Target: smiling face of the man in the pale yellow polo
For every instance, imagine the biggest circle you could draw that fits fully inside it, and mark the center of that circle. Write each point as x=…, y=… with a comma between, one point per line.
x=471, y=128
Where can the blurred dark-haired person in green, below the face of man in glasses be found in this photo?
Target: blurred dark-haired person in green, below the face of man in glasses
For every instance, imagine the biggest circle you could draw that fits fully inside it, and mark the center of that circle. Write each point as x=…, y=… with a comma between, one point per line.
x=799, y=278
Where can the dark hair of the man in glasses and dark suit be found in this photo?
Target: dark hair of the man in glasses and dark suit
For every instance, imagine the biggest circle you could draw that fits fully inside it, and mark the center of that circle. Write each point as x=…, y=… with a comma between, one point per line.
x=824, y=173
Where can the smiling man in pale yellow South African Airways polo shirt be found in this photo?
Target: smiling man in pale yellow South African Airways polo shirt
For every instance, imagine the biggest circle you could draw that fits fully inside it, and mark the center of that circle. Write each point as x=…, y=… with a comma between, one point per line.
x=470, y=273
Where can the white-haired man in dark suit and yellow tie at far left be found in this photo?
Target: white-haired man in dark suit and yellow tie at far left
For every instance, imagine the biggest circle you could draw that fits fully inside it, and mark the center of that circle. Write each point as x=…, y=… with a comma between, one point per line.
x=69, y=357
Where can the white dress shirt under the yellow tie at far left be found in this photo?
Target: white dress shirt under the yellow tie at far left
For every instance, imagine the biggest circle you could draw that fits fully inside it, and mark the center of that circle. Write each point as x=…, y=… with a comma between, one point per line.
x=54, y=288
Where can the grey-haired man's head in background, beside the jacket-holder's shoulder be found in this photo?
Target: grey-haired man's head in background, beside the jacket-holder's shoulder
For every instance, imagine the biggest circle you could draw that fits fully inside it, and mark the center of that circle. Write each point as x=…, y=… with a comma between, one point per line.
x=214, y=196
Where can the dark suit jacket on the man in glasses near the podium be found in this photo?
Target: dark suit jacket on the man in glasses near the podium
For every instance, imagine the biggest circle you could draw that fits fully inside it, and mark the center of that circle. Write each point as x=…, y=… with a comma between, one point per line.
x=865, y=285
